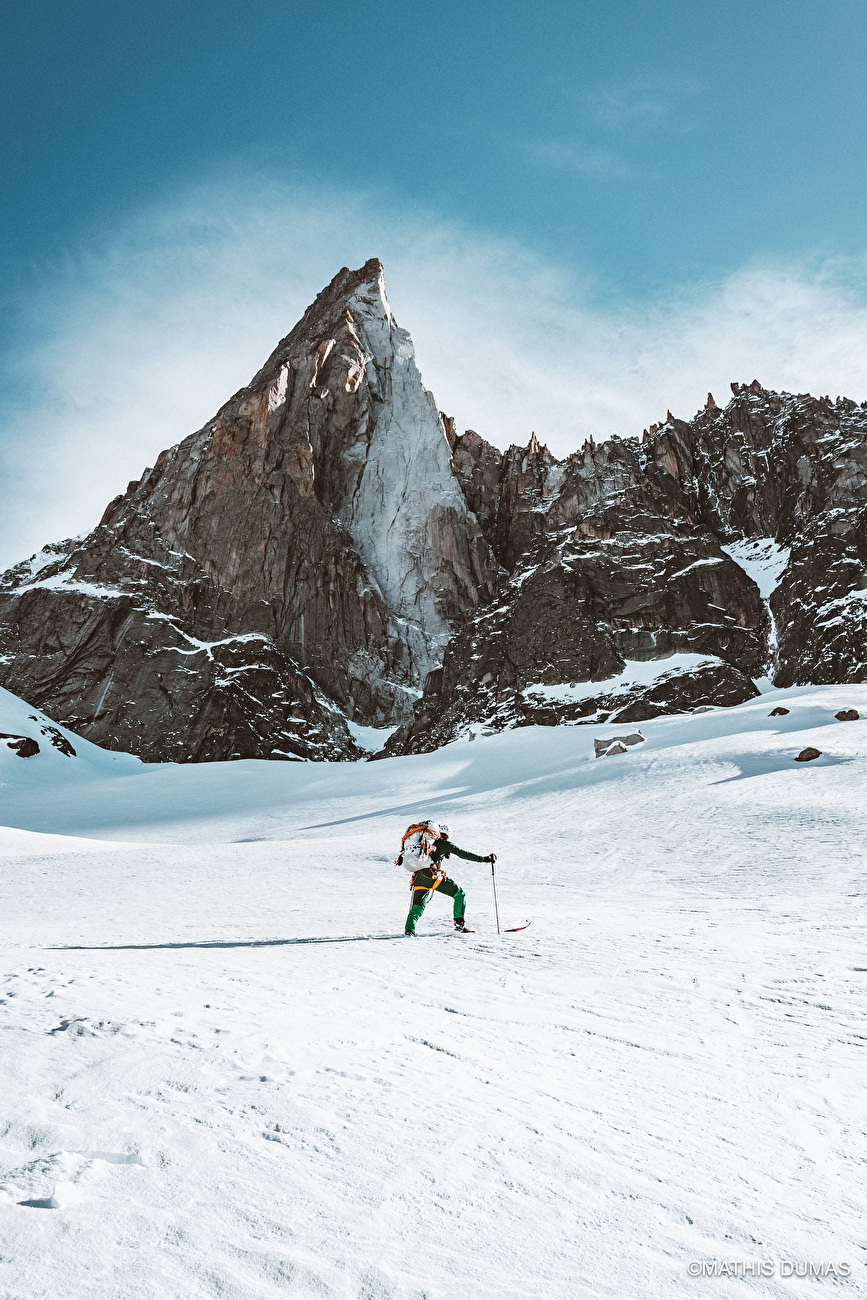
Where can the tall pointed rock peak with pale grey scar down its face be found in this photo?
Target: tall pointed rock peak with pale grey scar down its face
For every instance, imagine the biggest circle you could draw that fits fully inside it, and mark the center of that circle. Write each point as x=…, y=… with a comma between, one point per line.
x=302, y=560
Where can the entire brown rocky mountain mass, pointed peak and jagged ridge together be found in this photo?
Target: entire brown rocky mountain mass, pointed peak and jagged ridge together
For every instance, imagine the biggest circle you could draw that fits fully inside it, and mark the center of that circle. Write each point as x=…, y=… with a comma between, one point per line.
x=328, y=548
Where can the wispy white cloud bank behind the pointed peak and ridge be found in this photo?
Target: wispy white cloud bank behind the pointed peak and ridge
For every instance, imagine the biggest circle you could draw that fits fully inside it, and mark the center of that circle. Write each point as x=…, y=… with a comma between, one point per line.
x=135, y=344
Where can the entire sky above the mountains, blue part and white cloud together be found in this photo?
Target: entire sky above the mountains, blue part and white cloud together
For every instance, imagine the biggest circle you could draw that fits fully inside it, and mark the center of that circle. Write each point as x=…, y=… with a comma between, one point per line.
x=619, y=172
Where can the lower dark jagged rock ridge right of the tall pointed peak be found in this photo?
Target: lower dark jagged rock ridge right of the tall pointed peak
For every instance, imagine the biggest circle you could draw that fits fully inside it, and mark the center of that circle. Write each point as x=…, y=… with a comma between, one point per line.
x=653, y=577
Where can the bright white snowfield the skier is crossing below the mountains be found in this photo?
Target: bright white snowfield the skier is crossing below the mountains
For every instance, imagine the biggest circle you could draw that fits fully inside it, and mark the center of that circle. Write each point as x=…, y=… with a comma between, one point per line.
x=220, y=1077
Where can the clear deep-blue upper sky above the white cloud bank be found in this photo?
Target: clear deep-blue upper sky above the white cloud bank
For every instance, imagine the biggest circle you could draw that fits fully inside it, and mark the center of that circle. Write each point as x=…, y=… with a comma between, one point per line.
x=651, y=141
